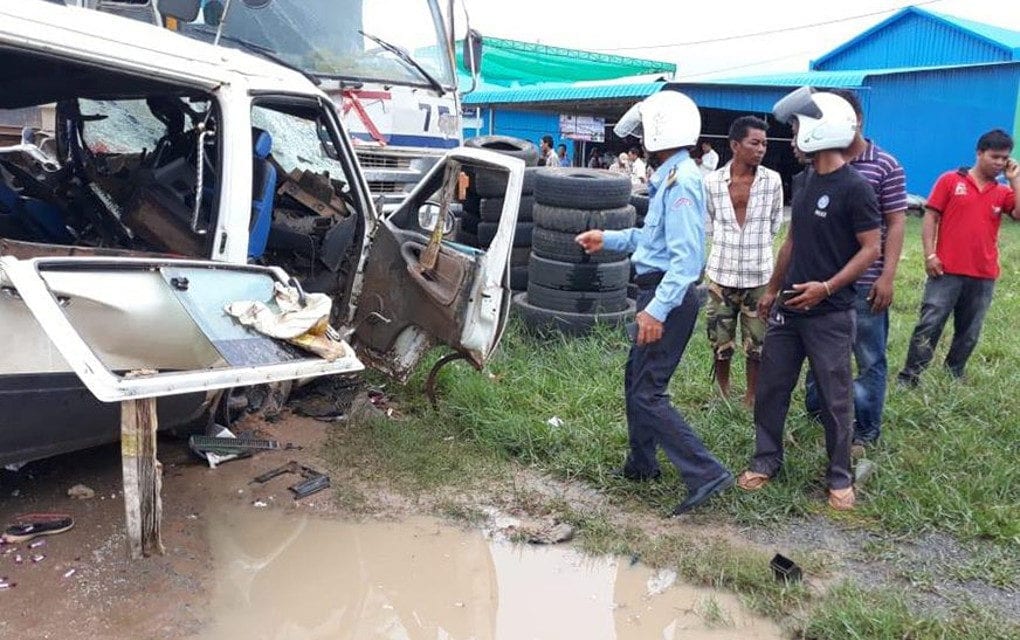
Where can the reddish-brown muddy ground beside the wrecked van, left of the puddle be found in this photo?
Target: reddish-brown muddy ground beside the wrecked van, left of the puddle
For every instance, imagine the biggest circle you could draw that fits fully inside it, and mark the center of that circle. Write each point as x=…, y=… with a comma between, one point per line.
x=110, y=597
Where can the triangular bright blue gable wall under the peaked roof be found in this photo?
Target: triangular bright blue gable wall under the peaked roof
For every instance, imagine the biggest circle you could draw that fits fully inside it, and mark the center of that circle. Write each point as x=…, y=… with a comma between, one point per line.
x=932, y=43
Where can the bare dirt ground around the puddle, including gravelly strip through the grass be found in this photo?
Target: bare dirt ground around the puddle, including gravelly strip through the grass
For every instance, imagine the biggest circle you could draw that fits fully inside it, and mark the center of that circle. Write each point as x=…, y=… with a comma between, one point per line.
x=86, y=587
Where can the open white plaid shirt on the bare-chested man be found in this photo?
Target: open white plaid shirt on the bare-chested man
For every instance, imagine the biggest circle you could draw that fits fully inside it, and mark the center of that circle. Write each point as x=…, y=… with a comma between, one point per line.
x=742, y=258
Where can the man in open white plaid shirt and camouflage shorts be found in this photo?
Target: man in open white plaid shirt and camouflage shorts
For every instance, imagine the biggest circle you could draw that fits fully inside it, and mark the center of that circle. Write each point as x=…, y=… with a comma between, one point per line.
x=745, y=214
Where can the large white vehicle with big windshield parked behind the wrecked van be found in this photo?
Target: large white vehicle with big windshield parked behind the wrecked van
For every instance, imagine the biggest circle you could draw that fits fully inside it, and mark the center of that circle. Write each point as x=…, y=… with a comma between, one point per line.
x=388, y=65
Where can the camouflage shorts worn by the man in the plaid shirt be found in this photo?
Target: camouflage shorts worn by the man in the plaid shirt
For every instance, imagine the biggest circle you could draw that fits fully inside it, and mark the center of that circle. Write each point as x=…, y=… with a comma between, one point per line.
x=725, y=306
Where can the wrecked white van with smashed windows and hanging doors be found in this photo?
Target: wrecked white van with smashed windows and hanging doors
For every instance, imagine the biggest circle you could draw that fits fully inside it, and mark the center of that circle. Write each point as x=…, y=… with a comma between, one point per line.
x=171, y=170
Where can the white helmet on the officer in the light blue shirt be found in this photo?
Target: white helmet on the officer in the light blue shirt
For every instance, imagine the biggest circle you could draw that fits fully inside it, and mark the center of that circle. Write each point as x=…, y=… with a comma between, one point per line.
x=667, y=120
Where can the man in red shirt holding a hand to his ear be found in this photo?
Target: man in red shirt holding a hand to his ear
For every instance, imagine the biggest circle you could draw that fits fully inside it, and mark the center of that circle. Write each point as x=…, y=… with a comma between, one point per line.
x=961, y=244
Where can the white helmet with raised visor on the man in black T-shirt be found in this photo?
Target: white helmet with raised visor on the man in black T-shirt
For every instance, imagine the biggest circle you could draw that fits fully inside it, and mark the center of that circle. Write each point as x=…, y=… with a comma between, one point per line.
x=825, y=120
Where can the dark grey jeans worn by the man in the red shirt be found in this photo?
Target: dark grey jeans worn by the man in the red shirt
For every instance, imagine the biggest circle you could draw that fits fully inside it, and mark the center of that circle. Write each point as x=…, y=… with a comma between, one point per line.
x=968, y=300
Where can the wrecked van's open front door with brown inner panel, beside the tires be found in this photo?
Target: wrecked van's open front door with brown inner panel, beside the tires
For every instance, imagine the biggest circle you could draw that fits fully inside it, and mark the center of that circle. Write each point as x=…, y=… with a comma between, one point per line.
x=463, y=301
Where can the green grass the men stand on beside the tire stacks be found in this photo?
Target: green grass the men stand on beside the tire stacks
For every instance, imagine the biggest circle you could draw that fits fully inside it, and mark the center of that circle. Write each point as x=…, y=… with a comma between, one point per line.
x=948, y=462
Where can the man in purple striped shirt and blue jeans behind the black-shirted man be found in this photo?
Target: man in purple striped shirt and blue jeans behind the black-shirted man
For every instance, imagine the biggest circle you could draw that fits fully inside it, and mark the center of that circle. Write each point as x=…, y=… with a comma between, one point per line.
x=875, y=287
